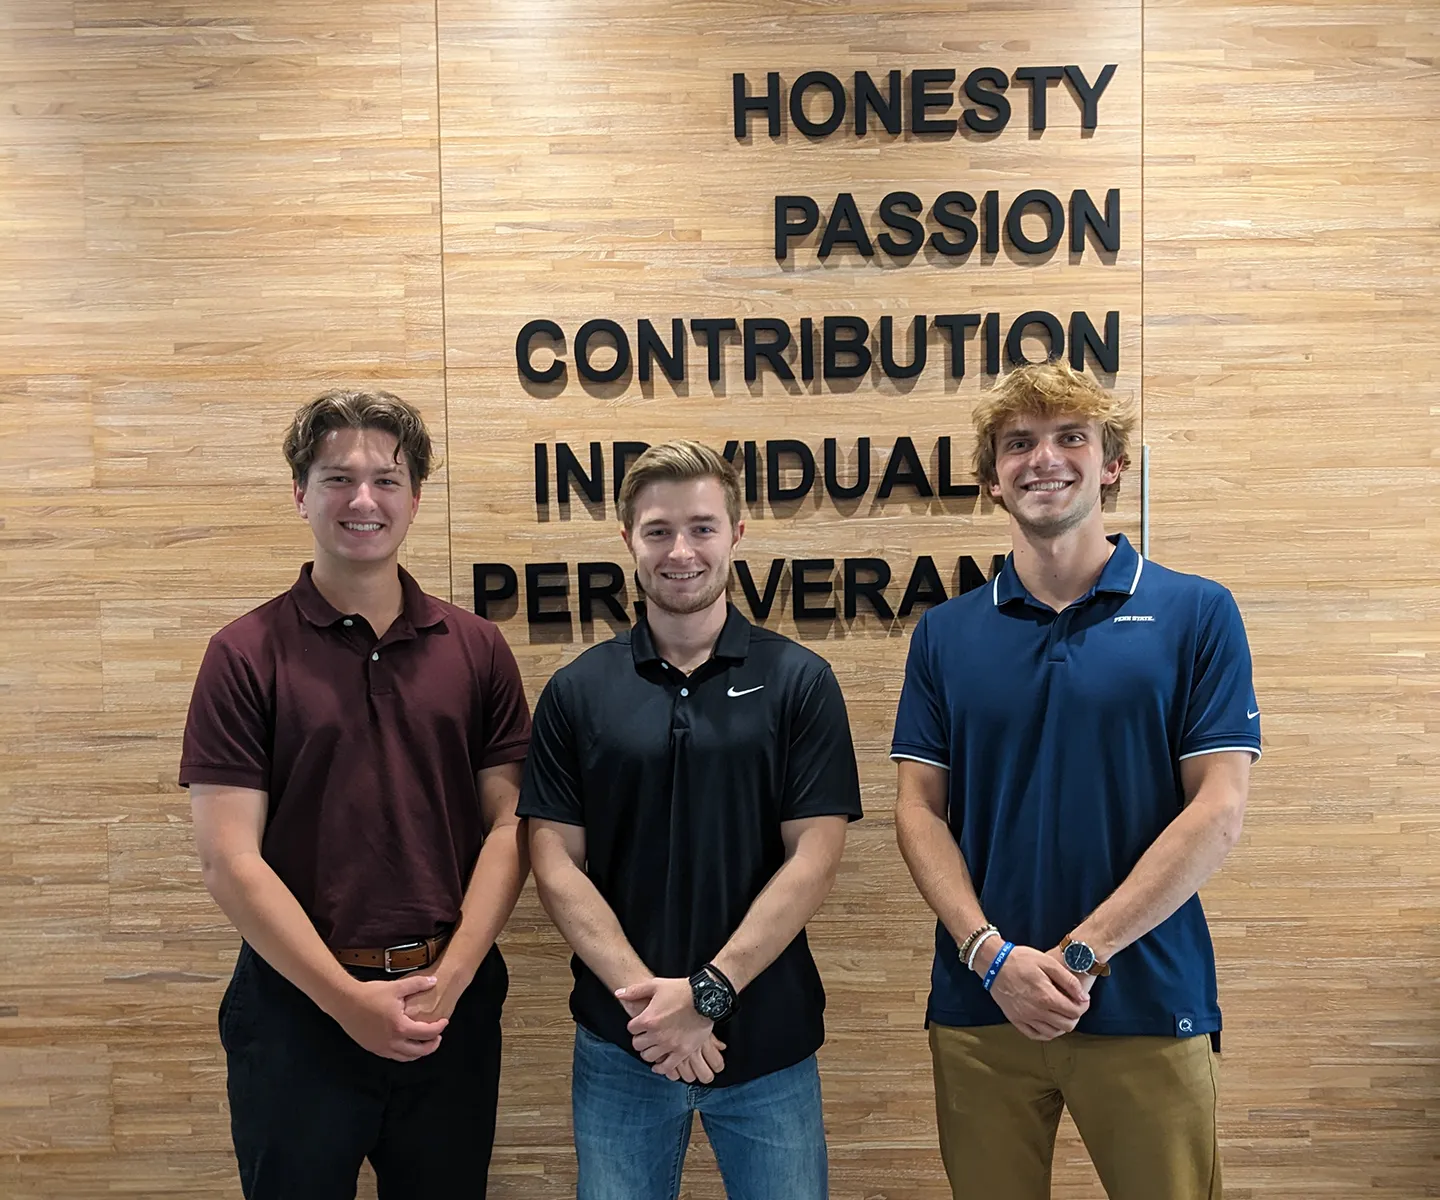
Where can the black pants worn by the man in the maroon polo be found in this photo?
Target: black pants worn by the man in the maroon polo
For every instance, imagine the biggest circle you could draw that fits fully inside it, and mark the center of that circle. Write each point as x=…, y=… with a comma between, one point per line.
x=309, y=1106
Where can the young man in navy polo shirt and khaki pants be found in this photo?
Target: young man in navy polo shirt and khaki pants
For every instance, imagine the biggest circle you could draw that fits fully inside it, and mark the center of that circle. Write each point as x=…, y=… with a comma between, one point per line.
x=1074, y=750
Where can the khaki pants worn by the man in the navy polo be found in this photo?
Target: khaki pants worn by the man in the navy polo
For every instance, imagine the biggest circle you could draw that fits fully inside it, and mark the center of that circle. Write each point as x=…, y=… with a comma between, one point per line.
x=1146, y=1109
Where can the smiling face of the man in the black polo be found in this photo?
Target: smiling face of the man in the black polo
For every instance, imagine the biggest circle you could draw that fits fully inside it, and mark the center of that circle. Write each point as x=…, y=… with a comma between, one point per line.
x=682, y=539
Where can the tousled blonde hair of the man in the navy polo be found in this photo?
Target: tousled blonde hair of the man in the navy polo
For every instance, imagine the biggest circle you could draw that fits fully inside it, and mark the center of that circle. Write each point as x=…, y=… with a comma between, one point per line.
x=1050, y=390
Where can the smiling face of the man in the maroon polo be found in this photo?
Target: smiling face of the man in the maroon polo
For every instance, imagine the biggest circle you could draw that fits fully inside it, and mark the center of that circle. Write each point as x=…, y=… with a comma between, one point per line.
x=358, y=499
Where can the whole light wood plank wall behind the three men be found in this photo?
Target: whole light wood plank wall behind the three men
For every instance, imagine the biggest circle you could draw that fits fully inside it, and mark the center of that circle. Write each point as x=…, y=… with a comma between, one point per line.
x=211, y=215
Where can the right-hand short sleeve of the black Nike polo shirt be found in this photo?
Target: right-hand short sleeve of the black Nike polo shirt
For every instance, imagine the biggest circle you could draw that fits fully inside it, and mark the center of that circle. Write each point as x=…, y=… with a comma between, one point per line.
x=822, y=777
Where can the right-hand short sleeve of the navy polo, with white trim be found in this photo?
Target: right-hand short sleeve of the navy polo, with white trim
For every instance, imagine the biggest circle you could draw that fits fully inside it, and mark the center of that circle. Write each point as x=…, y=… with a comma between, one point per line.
x=1222, y=714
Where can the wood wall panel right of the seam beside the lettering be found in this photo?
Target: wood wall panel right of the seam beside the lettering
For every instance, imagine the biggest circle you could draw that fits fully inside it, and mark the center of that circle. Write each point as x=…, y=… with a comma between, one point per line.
x=1291, y=384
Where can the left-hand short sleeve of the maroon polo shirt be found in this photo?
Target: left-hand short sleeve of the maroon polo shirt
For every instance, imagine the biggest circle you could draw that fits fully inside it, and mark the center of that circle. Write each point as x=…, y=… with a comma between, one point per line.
x=230, y=731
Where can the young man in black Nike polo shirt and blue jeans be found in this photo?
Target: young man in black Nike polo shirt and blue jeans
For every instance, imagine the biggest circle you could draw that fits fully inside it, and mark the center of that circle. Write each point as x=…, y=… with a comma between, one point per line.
x=688, y=789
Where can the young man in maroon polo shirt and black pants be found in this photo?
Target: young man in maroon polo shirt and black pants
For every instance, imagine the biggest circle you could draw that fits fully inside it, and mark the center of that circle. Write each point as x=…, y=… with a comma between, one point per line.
x=354, y=756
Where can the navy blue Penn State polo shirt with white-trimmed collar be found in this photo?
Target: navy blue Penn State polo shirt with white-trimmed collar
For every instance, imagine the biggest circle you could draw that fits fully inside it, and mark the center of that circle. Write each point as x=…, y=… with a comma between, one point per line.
x=1063, y=734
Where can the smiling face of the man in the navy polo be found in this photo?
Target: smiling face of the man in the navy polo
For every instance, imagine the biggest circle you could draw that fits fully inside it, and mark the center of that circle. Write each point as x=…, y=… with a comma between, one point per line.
x=1050, y=472
